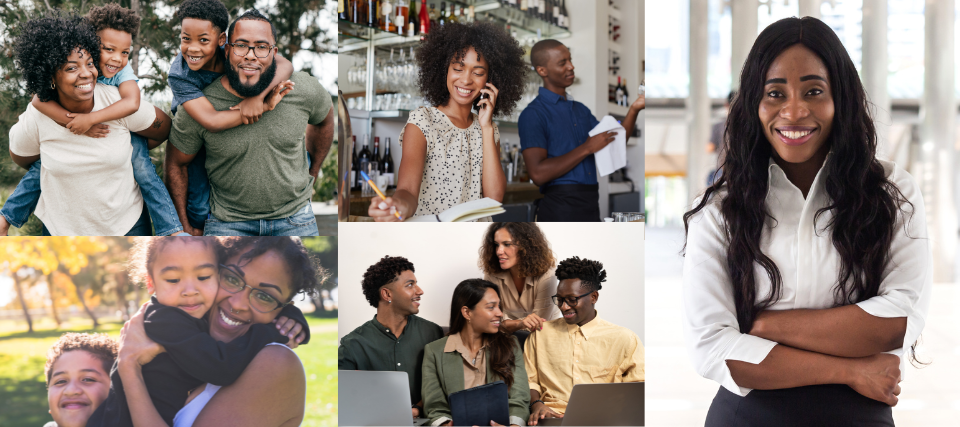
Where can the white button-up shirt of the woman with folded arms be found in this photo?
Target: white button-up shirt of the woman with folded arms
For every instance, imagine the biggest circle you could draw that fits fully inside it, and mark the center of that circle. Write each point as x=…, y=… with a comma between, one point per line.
x=808, y=264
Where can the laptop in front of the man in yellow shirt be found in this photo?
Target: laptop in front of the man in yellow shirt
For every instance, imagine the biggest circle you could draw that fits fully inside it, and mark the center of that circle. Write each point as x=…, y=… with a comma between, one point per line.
x=618, y=404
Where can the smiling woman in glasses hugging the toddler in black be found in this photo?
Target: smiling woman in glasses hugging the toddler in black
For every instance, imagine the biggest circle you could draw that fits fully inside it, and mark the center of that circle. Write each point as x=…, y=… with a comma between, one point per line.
x=258, y=277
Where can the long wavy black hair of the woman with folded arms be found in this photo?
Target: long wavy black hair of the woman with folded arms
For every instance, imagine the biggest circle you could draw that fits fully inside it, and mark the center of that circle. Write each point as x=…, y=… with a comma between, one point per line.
x=863, y=202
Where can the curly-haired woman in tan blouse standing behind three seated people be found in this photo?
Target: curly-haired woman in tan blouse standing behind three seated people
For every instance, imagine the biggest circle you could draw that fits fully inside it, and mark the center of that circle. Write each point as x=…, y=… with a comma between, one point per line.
x=516, y=256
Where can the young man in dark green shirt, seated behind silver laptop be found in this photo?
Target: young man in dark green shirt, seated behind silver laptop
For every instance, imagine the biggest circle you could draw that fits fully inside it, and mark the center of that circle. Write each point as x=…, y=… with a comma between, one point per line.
x=394, y=339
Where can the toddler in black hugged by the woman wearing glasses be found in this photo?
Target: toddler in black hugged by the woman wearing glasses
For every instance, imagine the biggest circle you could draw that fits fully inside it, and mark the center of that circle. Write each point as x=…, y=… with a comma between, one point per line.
x=183, y=273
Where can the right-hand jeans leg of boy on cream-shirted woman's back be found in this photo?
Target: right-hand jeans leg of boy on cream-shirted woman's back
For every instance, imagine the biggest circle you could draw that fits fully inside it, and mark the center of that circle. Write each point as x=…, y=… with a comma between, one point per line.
x=155, y=194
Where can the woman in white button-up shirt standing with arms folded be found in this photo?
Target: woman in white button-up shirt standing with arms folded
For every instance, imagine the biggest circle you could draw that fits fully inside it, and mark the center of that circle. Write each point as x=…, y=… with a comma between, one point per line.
x=807, y=273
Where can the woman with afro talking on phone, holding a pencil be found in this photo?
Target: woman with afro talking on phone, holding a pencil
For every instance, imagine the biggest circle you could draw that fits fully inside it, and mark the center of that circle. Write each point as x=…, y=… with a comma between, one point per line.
x=449, y=154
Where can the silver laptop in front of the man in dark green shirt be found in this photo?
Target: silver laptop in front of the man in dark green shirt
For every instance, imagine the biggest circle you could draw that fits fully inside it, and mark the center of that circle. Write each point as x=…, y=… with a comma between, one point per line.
x=375, y=398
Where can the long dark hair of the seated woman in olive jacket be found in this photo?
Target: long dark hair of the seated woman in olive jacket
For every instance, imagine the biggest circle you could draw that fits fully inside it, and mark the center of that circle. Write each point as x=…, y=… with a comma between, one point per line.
x=467, y=294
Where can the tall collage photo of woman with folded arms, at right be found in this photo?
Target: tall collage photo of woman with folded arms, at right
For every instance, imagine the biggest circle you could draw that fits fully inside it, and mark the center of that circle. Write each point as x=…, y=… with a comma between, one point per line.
x=802, y=213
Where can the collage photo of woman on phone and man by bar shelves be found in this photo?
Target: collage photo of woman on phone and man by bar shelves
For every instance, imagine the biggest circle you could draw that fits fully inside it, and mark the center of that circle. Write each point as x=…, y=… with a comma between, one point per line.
x=519, y=110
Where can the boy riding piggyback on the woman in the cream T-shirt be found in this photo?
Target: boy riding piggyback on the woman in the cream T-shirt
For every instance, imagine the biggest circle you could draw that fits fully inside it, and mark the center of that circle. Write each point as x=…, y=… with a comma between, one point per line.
x=116, y=27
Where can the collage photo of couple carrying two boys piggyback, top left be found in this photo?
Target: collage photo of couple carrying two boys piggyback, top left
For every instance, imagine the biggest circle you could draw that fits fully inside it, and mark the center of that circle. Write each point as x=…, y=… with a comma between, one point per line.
x=96, y=147
